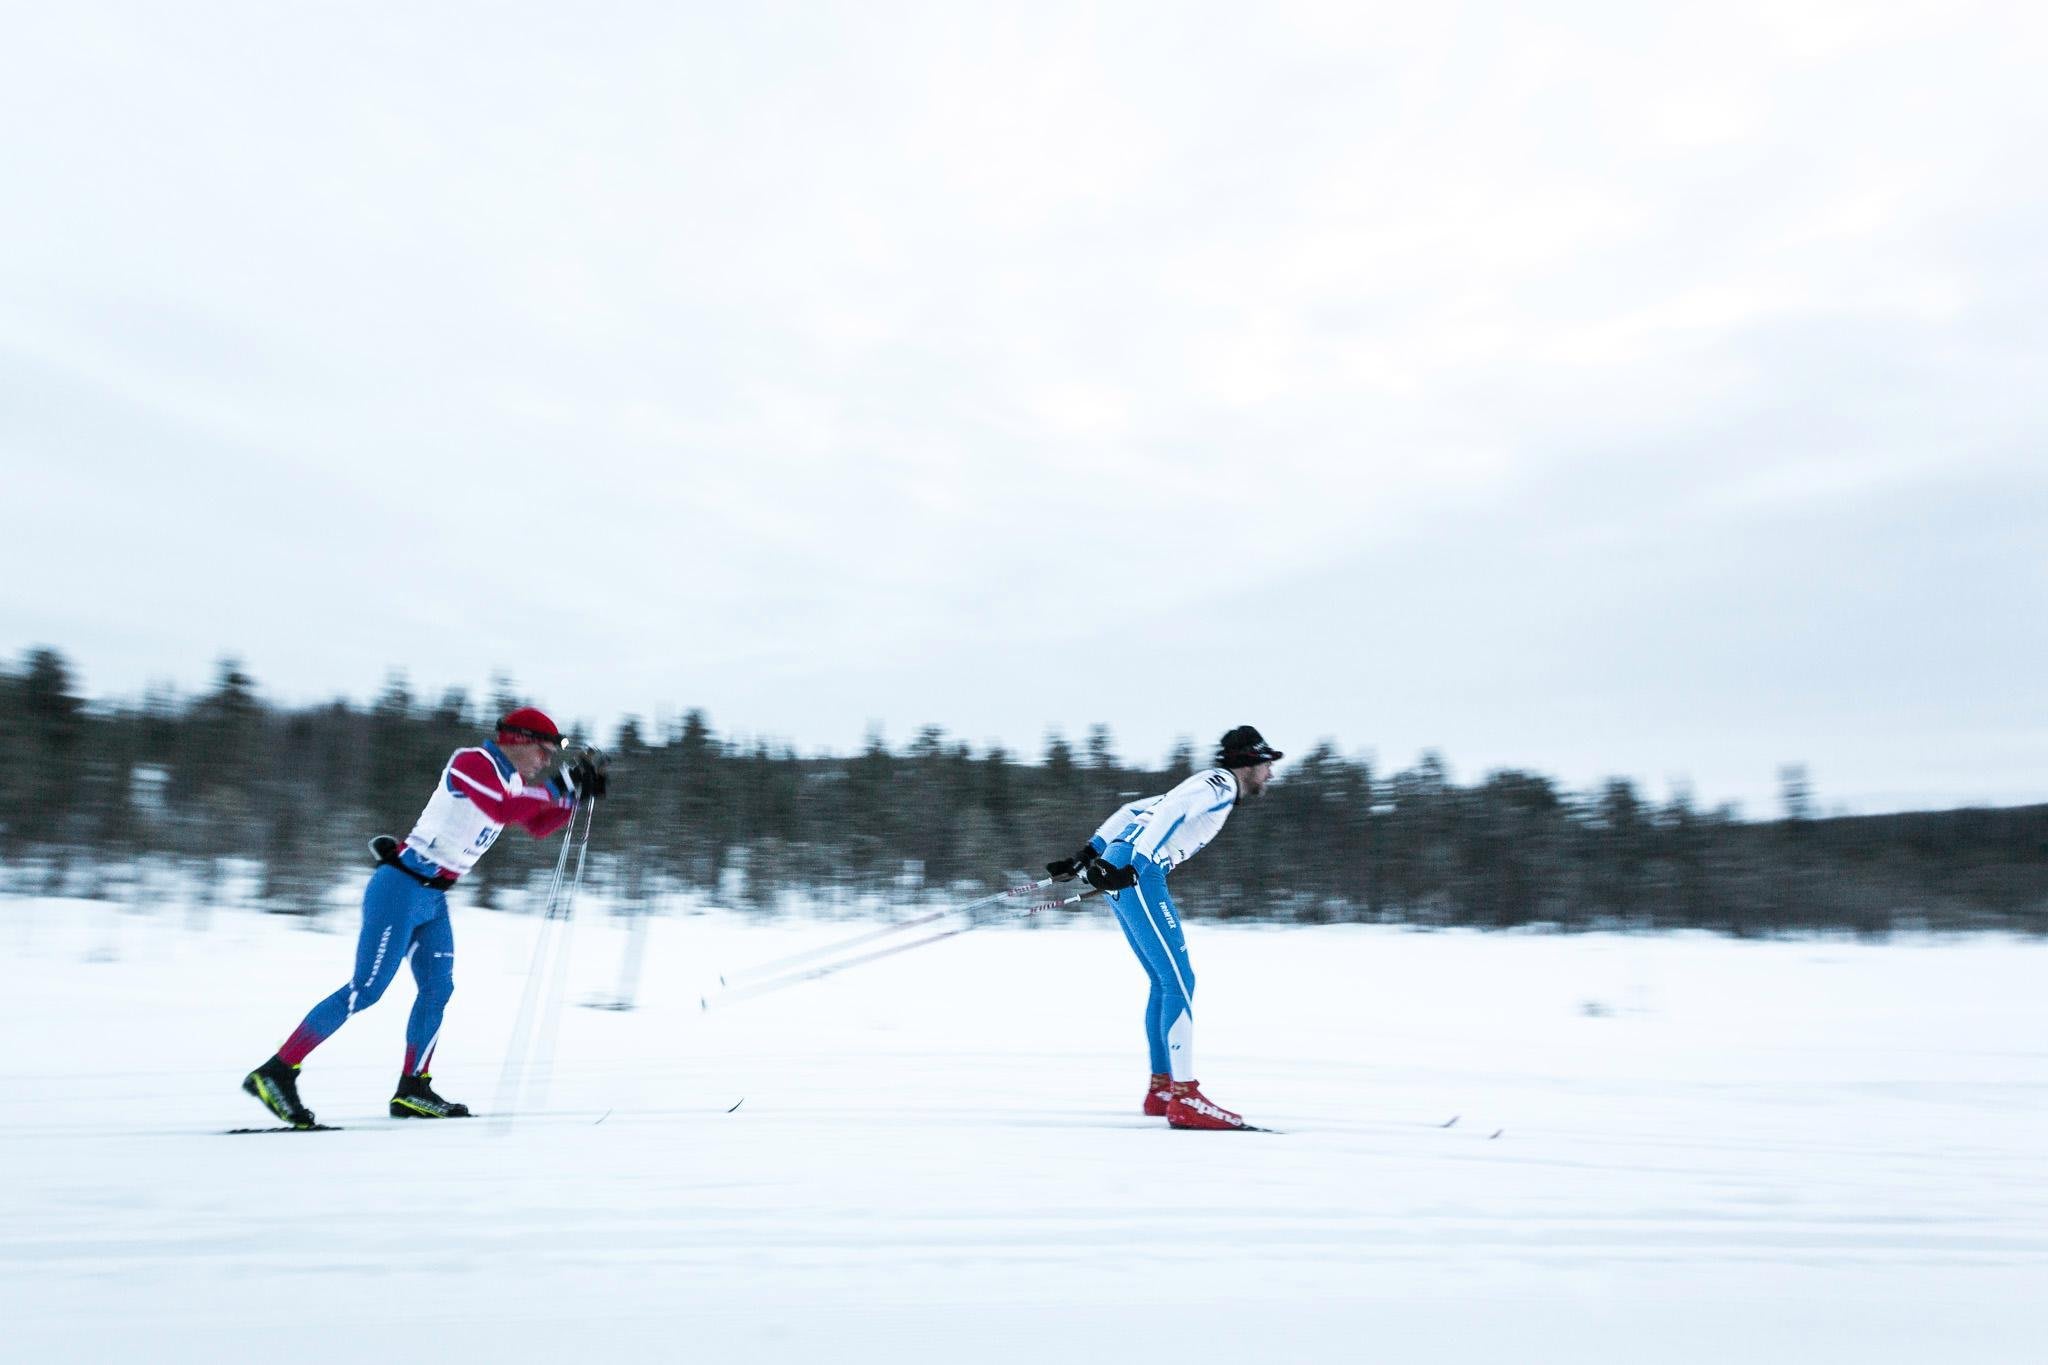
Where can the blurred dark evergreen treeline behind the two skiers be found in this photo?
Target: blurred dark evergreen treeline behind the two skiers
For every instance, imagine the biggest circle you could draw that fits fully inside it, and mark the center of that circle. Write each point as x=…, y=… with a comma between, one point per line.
x=200, y=781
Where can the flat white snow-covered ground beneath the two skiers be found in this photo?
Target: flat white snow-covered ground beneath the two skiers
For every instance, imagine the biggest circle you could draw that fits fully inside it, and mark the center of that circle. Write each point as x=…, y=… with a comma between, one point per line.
x=1707, y=1151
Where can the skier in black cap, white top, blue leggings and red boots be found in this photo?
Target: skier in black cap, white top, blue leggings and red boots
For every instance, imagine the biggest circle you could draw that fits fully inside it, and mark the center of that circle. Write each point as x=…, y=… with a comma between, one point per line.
x=1129, y=861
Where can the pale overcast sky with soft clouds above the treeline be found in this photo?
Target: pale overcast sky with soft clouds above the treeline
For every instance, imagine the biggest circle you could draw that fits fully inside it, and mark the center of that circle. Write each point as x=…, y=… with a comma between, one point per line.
x=1619, y=390
